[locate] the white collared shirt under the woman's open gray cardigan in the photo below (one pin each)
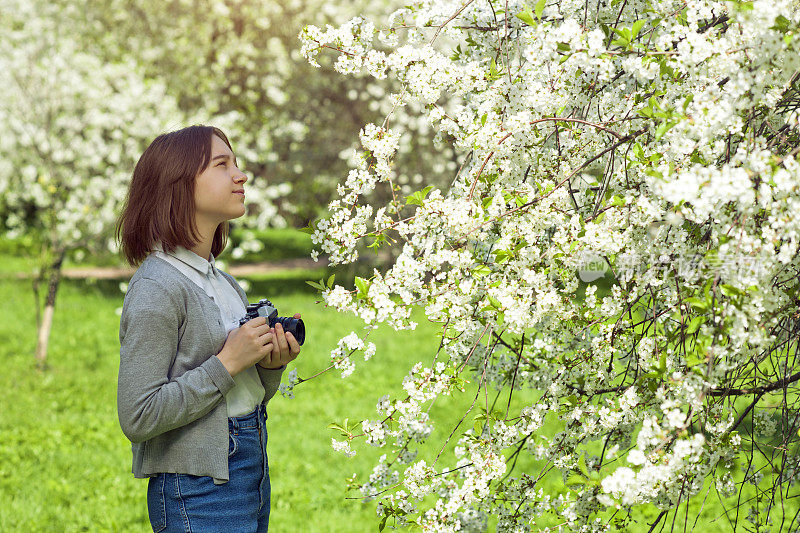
(248, 391)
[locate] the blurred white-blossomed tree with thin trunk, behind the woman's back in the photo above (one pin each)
(72, 128)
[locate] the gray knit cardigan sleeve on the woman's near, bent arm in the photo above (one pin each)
(148, 402)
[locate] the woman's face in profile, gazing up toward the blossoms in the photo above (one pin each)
(219, 189)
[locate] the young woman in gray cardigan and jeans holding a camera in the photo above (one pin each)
(193, 385)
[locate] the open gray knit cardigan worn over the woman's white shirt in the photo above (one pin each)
(171, 384)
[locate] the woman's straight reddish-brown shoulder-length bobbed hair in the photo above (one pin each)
(160, 203)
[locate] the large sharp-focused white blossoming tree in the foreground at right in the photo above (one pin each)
(618, 250)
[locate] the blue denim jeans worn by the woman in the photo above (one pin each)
(194, 504)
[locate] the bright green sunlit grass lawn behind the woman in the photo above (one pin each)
(65, 464)
